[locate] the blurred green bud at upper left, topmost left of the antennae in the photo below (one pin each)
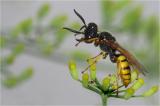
(43, 11)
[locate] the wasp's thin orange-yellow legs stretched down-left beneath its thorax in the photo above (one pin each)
(97, 58)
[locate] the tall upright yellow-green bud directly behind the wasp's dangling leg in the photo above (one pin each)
(92, 69)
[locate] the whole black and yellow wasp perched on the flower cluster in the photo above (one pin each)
(109, 46)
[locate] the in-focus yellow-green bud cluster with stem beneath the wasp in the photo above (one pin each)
(111, 85)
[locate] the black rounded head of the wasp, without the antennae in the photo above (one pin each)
(91, 31)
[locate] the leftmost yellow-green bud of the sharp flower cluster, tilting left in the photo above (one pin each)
(73, 70)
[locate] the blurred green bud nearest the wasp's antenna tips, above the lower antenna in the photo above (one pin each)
(58, 21)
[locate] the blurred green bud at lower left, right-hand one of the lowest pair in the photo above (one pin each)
(26, 74)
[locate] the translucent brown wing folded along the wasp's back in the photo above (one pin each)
(131, 59)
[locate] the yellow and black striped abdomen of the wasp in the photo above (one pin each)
(124, 70)
